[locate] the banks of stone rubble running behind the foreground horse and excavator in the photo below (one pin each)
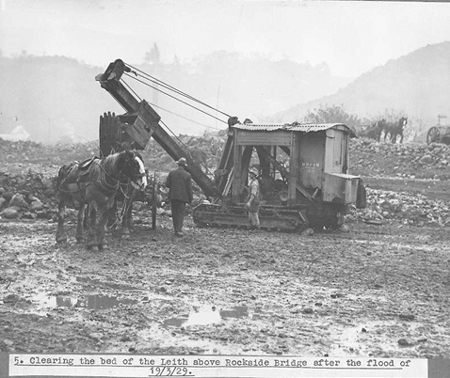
(32, 195)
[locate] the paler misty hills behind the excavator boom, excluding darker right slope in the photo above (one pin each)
(56, 98)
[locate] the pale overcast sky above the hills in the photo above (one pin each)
(351, 37)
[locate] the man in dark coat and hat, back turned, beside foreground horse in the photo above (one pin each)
(180, 192)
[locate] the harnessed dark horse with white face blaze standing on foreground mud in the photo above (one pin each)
(95, 182)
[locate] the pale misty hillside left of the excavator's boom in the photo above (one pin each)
(51, 97)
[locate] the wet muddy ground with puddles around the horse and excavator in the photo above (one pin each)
(377, 289)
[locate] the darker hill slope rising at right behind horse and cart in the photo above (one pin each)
(416, 85)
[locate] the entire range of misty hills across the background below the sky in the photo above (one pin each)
(57, 99)
